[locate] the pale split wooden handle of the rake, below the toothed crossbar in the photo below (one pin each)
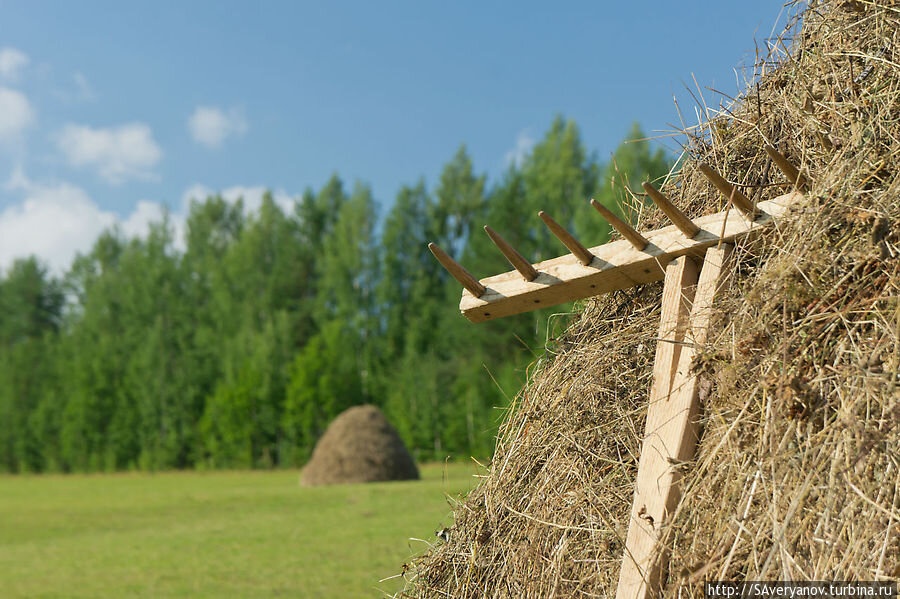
(670, 437)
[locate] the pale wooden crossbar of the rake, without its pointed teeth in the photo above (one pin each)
(616, 265)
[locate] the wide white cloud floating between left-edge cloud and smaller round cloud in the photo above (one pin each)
(118, 153)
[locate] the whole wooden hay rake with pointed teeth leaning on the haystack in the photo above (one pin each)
(692, 258)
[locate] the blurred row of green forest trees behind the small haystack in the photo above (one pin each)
(236, 348)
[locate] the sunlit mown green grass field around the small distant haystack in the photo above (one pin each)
(215, 534)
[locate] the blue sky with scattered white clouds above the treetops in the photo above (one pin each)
(111, 110)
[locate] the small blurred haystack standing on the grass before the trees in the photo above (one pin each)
(359, 446)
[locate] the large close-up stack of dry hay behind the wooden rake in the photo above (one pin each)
(797, 471)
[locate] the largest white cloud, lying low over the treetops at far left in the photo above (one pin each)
(56, 221)
